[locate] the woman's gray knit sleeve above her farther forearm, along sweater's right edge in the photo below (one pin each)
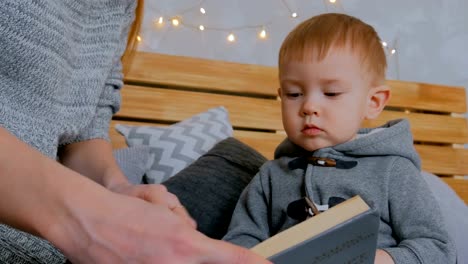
(109, 100)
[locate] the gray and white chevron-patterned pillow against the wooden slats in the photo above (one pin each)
(177, 146)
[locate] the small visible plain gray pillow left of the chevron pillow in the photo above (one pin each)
(133, 162)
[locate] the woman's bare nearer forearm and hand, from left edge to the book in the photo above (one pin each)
(93, 225)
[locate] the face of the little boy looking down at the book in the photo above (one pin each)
(323, 102)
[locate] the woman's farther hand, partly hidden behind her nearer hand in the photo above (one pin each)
(155, 194)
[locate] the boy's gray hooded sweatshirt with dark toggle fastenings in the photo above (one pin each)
(381, 165)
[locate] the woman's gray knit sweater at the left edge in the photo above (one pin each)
(60, 76)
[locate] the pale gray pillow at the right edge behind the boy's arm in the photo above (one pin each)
(455, 213)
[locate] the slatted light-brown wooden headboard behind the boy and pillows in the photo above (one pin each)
(164, 89)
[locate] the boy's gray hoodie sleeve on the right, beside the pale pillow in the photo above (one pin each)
(416, 219)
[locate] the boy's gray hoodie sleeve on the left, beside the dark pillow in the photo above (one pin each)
(249, 223)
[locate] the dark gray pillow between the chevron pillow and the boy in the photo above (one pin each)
(210, 187)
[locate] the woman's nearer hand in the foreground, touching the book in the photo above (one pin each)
(115, 228)
